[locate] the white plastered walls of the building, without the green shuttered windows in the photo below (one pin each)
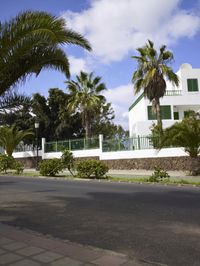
(138, 118)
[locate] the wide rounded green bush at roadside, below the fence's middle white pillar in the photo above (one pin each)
(91, 169)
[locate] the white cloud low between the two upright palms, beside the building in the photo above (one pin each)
(121, 98)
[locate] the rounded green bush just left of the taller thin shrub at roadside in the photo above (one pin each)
(50, 167)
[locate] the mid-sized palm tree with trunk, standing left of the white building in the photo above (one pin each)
(85, 97)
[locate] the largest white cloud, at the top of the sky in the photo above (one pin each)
(116, 27)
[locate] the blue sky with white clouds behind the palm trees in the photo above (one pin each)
(115, 28)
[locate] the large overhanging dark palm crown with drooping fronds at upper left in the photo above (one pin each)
(32, 41)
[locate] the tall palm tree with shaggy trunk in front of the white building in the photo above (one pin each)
(151, 73)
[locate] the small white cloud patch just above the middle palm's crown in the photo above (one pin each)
(77, 64)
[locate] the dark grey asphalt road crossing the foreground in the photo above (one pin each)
(159, 225)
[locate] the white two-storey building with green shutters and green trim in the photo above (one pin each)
(174, 105)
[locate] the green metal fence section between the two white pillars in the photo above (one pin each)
(72, 144)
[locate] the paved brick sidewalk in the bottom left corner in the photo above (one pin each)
(26, 248)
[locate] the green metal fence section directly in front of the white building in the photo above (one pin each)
(136, 143)
